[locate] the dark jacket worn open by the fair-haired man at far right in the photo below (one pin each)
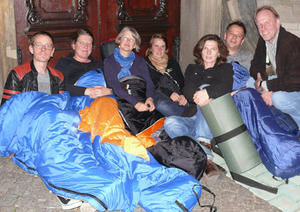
(287, 62)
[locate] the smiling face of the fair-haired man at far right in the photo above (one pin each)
(268, 25)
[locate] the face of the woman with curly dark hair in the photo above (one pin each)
(210, 53)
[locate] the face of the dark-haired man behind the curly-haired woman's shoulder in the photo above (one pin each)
(234, 38)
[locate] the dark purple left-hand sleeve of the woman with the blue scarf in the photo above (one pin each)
(110, 73)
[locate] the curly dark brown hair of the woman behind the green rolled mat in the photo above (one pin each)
(200, 45)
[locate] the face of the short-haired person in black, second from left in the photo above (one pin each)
(83, 47)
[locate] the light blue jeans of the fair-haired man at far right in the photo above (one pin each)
(286, 102)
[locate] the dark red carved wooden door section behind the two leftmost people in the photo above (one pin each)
(60, 18)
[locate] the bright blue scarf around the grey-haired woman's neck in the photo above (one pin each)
(125, 63)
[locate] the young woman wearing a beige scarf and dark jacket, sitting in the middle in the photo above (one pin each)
(166, 76)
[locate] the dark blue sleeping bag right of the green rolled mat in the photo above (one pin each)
(278, 148)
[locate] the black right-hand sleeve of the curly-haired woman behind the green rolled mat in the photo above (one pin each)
(223, 83)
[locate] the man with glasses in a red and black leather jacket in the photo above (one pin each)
(35, 75)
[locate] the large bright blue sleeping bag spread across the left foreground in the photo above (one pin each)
(41, 130)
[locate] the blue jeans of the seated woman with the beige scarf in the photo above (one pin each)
(166, 106)
